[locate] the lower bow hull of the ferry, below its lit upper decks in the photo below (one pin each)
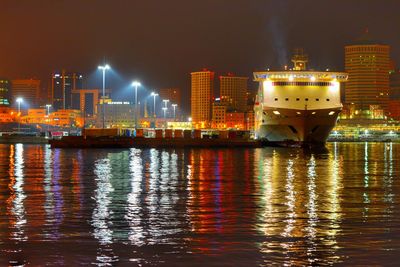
(292, 127)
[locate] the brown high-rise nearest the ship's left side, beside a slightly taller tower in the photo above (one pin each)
(233, 92)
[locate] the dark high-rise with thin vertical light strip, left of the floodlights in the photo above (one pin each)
(62, 84)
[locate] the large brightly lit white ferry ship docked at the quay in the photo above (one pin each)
(297, 107)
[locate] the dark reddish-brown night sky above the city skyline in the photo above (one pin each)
(161, 42)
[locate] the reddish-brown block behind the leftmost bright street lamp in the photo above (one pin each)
(27, 89)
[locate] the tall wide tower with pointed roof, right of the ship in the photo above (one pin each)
(368, 63)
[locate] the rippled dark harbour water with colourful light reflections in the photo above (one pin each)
(200, 207)
